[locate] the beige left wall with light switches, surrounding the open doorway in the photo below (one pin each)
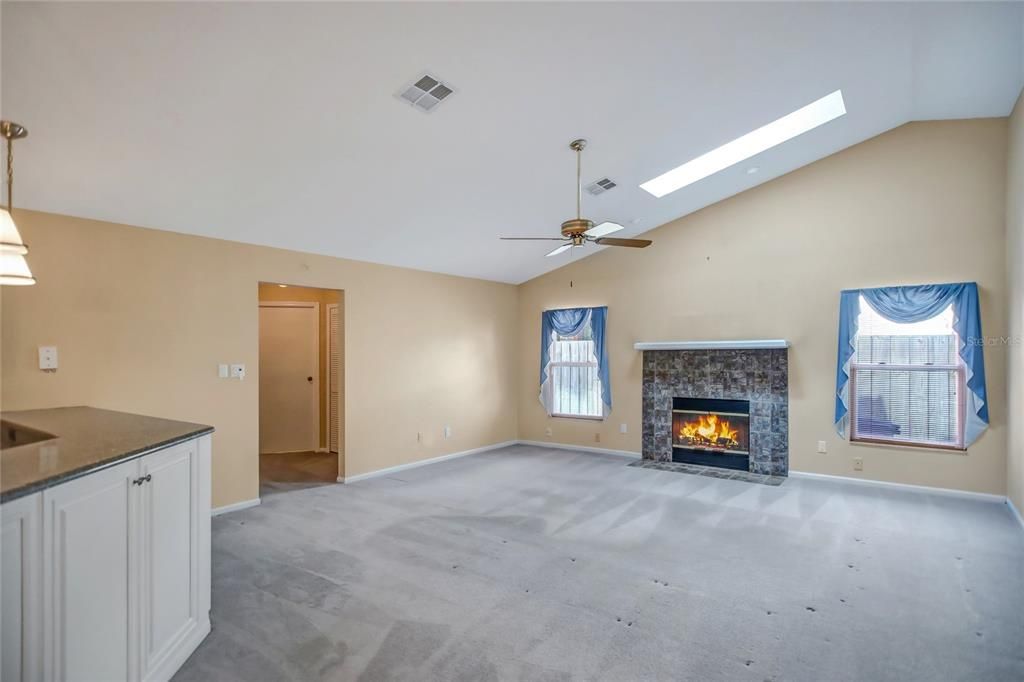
(142, 319)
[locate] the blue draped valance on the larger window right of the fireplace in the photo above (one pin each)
(913, 305)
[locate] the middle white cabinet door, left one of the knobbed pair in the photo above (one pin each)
(90, 625)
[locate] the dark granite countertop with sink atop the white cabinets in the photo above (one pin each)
(87, 440)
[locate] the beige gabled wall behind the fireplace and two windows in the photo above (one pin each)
(925, 203)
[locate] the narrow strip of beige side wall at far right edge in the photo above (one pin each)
(1015, 262)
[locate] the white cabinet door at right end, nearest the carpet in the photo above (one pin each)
(169, 542)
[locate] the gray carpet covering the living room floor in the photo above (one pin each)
(529, 564)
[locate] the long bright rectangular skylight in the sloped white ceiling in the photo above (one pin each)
(807, 118)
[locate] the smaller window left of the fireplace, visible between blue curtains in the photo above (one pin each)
(576, 385)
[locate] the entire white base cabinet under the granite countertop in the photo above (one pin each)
(121, 560)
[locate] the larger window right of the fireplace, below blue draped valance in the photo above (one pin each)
(907, 383)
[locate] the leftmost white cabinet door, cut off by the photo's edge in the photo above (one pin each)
(21, 588)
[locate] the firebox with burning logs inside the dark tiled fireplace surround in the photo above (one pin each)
(712, 433)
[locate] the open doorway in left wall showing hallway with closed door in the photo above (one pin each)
(302, 380)
